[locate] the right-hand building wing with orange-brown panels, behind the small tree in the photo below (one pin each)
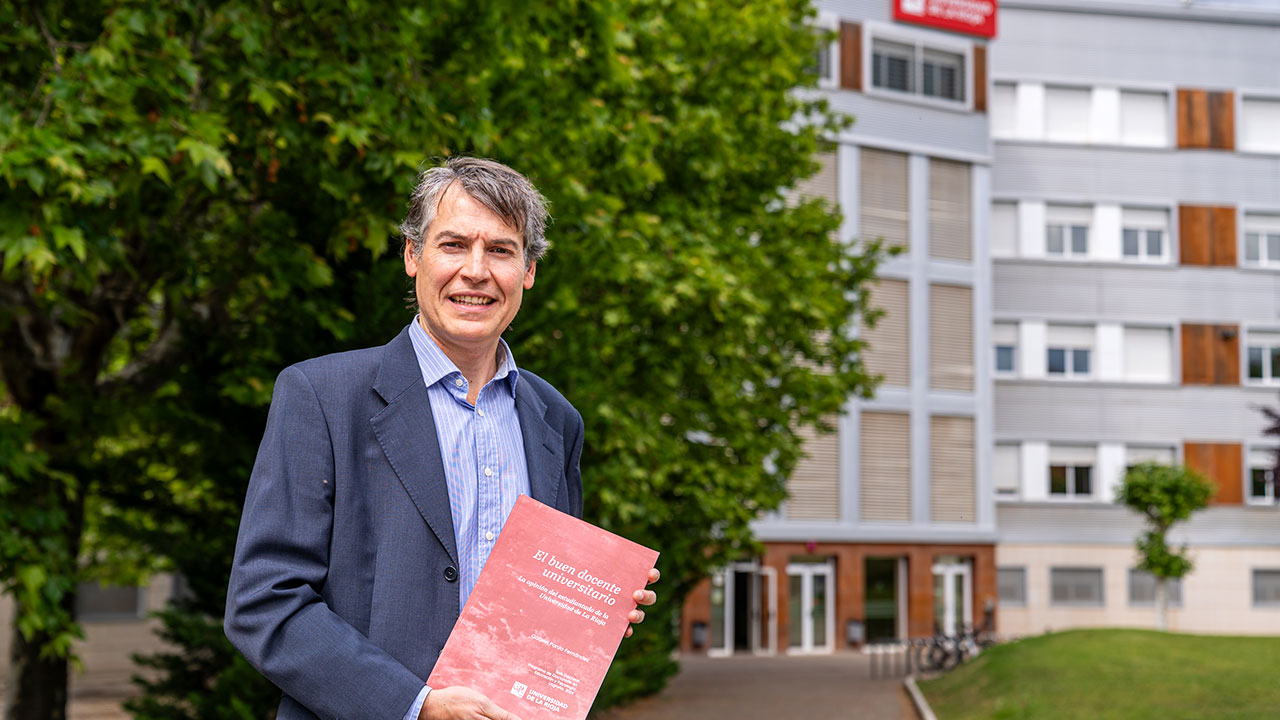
(1136, 304)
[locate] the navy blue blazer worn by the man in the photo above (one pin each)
(345, 582)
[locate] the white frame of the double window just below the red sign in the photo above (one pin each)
(921, 42)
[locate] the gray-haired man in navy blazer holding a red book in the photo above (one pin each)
(386, 475)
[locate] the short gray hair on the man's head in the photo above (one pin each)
(502, 190)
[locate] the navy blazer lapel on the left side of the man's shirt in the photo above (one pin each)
(406, 432)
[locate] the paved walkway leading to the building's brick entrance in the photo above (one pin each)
(774, 689)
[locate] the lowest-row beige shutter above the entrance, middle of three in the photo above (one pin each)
(885, 476)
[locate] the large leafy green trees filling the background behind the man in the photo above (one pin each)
(200, 193)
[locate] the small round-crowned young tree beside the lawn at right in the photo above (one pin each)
(1164, 495)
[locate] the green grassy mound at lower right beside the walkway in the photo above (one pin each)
(1113, 675)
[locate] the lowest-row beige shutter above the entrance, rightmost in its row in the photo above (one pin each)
(952, 494)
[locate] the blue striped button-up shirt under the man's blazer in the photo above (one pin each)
(482, 448)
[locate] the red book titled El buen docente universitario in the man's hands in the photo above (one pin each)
(547, 614)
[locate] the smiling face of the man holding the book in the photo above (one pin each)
(470, 277)
